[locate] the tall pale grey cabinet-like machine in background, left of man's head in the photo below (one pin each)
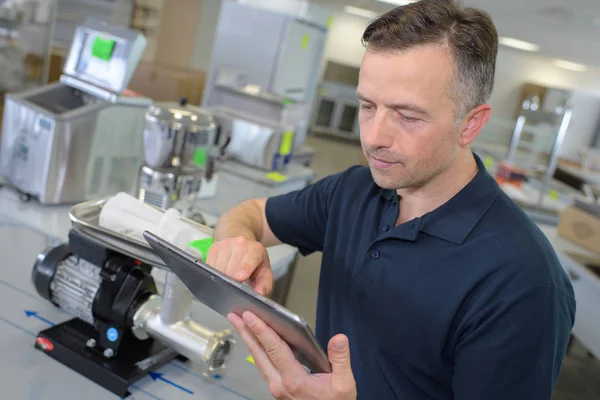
(265, 60)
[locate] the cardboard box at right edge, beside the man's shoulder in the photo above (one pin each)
(581, 227)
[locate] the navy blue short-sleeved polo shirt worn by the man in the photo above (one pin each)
(468, 301)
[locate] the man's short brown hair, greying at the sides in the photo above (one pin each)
(469, 34)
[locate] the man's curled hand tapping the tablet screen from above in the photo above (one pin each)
(242, 259)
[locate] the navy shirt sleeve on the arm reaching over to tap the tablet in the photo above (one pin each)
(300, 218)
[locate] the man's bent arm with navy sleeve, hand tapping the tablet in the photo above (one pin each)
(241, 235)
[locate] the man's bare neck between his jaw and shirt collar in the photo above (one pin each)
(416, 202)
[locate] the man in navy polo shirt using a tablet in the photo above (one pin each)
(434, 285)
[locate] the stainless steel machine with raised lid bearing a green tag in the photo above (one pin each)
(80, 138)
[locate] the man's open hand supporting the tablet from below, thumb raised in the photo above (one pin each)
(286, 377)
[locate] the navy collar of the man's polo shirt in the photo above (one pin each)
(454, 220)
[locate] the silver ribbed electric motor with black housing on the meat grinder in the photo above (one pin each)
(104, 289)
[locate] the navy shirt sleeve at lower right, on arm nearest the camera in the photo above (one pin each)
(513, 349)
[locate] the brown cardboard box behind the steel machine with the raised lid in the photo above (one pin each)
(168, 83)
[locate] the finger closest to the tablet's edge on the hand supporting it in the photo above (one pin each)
(278, 351)
